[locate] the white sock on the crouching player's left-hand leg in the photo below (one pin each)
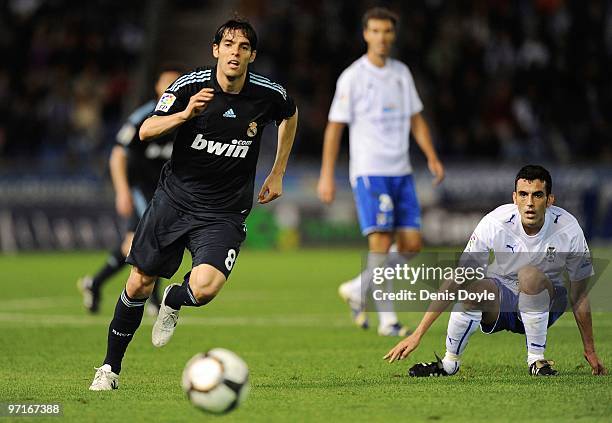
(461, 325)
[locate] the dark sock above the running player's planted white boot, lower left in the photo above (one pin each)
(127, 318)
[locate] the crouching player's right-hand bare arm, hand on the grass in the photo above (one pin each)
(581, 307)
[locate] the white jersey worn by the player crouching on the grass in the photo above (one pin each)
(559, 246)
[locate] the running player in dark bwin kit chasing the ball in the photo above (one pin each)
(205, 191)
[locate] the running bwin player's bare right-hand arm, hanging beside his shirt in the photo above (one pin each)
(272, 187)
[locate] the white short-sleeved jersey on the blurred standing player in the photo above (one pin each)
(377, 104)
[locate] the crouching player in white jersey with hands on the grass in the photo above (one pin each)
(534, 243)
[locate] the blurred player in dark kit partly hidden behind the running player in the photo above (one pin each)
(135, 168)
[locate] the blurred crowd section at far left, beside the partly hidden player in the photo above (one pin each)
(63, 89)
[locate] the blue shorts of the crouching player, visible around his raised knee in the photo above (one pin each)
(510, 320)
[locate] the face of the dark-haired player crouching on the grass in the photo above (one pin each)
(532, 201)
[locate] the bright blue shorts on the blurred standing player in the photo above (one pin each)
(386, 203)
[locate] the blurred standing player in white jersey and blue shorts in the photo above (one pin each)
(376, 96)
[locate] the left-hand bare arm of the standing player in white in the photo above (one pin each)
(326, 188)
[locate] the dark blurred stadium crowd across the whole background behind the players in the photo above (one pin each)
(500, 80)
